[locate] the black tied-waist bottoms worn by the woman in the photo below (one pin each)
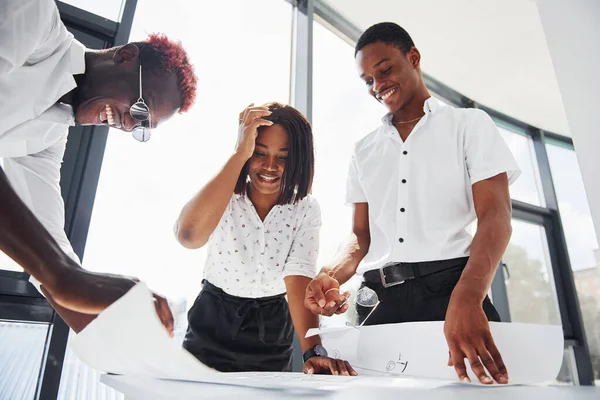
(234, 334)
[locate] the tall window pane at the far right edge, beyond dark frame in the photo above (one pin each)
(581, 240)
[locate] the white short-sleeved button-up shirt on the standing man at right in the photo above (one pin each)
(419, 191)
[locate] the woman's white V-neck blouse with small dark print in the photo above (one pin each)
(249, 258)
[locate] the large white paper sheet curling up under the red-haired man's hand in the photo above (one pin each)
(128, 338)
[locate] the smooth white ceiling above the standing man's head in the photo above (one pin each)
(492, 51)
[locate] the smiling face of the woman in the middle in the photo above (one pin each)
(268, 162)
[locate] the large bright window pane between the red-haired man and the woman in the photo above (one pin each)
(241, 52)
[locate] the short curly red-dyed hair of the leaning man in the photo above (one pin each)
(160, 53)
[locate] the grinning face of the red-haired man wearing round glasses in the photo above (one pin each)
(111, 86)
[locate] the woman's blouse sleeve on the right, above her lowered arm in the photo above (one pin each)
(302, 259)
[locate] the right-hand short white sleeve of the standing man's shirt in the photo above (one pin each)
(486, 152)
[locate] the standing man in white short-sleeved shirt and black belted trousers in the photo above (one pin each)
(416, 184)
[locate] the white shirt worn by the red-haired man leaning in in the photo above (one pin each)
(38, 58)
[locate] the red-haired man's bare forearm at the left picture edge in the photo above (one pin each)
(25, 240)
